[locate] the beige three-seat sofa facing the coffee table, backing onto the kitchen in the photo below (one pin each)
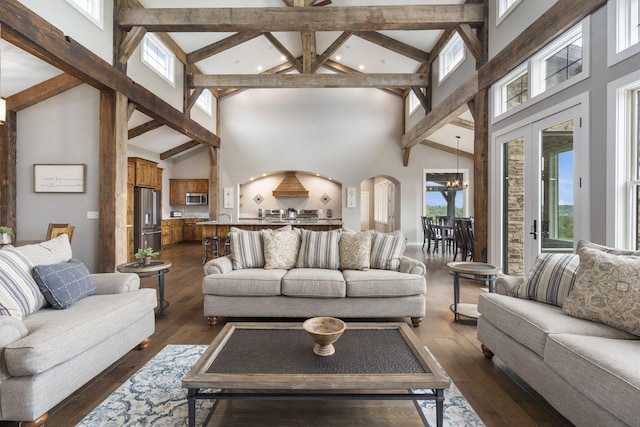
(300, 291)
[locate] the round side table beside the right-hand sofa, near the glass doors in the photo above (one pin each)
(477, 271)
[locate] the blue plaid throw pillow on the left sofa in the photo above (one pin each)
(64, 284)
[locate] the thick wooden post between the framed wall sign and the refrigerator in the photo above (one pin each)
(112, 230)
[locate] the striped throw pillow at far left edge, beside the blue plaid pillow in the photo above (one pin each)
(19, 293)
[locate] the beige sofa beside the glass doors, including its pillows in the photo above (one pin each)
(586, 369)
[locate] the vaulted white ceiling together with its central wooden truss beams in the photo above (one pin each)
(283, 43)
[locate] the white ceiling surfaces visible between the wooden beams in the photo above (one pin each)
(246, 58)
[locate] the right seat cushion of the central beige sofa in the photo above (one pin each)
(383, 283)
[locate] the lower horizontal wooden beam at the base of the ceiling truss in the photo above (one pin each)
(307, 80)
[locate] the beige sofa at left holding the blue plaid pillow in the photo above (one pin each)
(47, 355)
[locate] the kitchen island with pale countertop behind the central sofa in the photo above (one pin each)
(221, 228)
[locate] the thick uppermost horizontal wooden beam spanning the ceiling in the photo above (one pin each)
(273, 19)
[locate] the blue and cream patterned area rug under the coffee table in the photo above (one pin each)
(154, 396)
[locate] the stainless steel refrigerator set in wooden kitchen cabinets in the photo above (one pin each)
(147, 218)
